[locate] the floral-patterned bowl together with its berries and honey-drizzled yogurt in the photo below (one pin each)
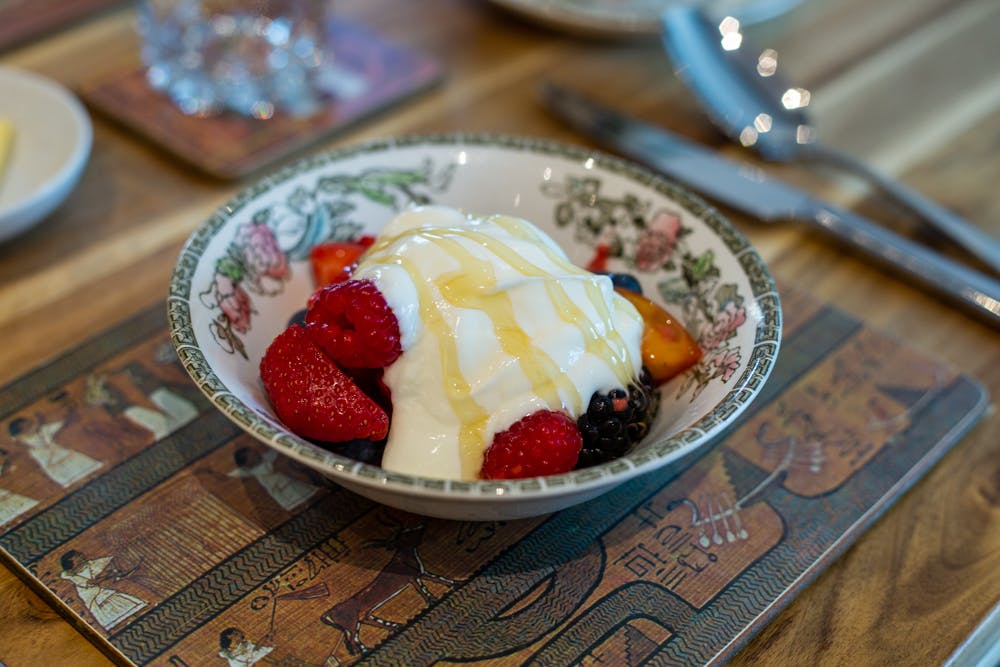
(474, 326)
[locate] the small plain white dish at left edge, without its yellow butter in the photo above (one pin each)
(52, 140)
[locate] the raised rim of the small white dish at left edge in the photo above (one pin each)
(70, 167)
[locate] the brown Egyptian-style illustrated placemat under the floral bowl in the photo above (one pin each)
(170, 538)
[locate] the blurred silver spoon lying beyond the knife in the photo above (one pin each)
(749, 101)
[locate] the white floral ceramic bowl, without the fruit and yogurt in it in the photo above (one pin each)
(245, 272)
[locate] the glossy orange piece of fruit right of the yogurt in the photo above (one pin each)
(667, 347)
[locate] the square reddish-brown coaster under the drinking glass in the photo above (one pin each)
(229, 146)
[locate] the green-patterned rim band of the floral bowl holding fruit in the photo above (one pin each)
(740, 395)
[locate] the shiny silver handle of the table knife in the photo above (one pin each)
(979, 293)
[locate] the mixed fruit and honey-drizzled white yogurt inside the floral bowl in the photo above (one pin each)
(466, 347)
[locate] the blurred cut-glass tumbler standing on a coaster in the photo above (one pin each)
(251, 57)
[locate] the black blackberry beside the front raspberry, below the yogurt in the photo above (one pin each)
(617, 420)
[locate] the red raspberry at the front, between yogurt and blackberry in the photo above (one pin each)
(543, 443)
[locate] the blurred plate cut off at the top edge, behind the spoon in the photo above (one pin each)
(622, 18)
